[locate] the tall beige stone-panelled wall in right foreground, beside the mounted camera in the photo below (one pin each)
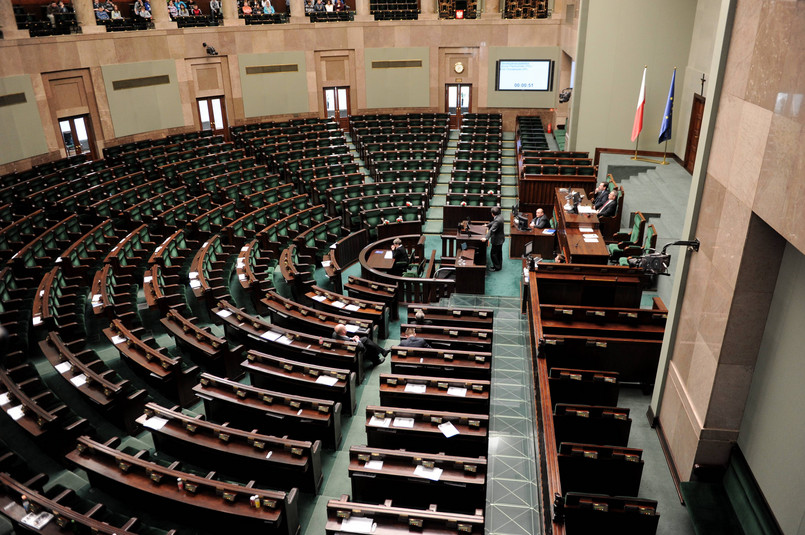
(751, 205)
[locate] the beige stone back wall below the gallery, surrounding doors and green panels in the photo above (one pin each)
(34, 56)
